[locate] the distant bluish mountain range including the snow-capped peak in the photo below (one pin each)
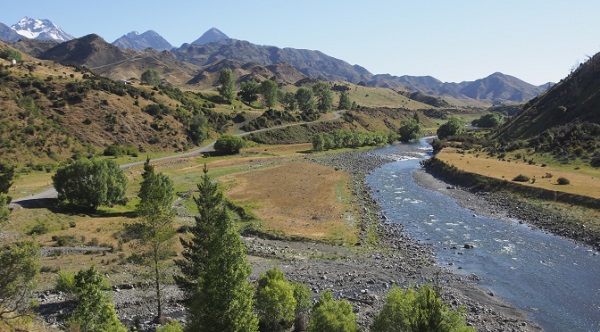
(214, 46)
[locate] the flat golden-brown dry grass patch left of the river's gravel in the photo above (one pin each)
(297, 199)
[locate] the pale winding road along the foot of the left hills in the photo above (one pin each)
(37, 200)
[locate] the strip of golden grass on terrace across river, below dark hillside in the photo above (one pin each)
(585, 183)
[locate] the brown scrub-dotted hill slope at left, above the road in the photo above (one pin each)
(49, 112)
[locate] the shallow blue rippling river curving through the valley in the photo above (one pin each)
(553, 279)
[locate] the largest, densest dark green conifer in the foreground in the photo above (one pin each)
(214, 269)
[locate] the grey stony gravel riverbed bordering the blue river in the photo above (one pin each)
(362, 274)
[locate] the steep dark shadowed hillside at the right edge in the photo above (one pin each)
(565, 121)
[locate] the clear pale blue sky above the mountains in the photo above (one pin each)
(538, 41)
